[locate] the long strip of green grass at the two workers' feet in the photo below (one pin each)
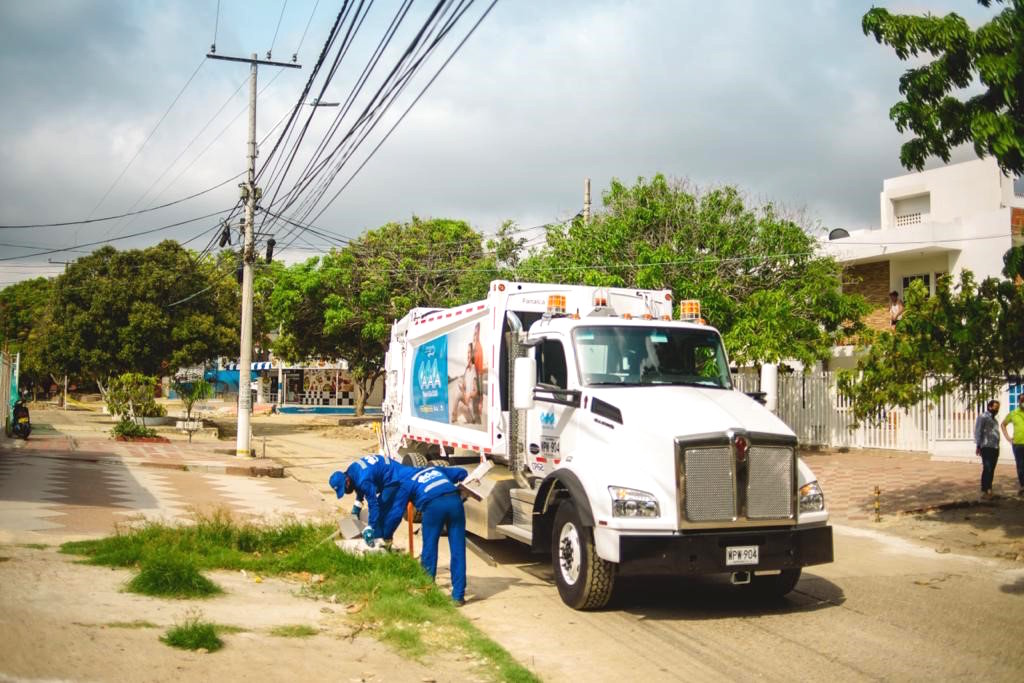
(392, 596)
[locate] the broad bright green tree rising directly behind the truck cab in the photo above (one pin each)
(756, 272)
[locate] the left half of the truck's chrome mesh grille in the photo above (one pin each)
(710, 489)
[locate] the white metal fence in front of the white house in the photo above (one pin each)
(814, 408)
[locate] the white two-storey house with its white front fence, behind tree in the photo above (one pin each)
(962, 217)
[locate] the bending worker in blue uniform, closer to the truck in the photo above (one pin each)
(434, 493)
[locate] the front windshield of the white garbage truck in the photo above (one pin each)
(635, 356)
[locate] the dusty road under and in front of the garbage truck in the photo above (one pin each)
(885, 611)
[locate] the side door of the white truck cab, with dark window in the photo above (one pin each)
(551, 425)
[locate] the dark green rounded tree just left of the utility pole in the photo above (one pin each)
(149, 311)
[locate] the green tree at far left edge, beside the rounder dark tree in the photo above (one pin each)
(24, 321)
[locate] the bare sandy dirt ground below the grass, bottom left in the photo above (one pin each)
(64, 621)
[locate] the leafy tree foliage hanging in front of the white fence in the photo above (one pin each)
(964, 340)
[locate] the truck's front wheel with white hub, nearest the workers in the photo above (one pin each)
(584, 580)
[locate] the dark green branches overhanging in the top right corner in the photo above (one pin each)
(942, 118)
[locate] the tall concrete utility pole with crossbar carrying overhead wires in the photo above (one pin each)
(250, 195)
